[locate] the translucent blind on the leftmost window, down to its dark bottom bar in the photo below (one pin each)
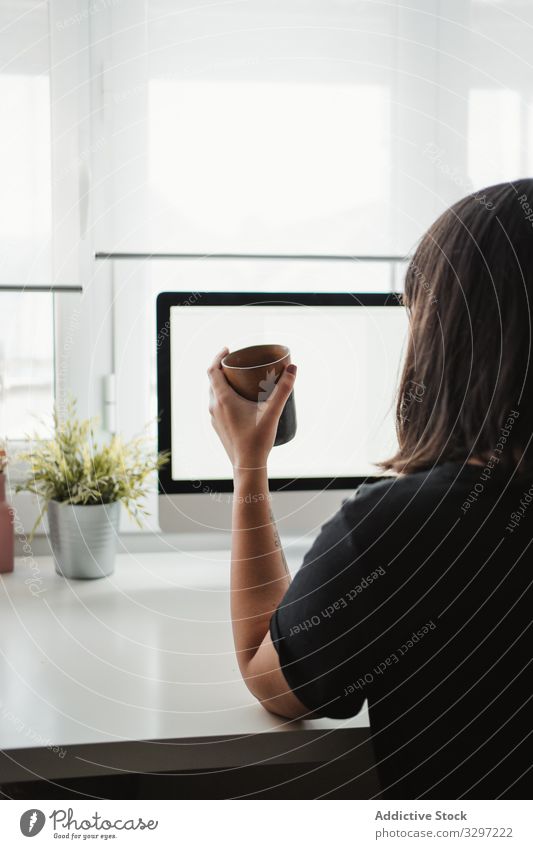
(25, 146)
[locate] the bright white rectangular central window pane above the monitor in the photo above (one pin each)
(269, 166)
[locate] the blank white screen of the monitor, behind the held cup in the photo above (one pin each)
(348, 365)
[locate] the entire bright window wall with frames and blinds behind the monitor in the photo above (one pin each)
(272, 144)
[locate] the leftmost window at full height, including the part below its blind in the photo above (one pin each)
(26, 317)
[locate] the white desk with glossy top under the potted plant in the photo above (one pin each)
(137, 672)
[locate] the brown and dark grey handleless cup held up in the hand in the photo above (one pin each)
(253, 372)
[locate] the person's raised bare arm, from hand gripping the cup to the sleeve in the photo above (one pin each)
(259, 574)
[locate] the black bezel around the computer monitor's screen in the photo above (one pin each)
(165, 300)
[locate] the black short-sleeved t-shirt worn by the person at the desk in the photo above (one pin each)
(417, 595)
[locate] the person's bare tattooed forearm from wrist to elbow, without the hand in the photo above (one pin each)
(259, 574)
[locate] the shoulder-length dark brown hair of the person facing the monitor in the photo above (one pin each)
(466, 391)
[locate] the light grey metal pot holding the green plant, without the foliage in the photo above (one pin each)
(84, 538)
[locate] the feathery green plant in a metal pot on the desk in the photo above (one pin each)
(81, 486)
